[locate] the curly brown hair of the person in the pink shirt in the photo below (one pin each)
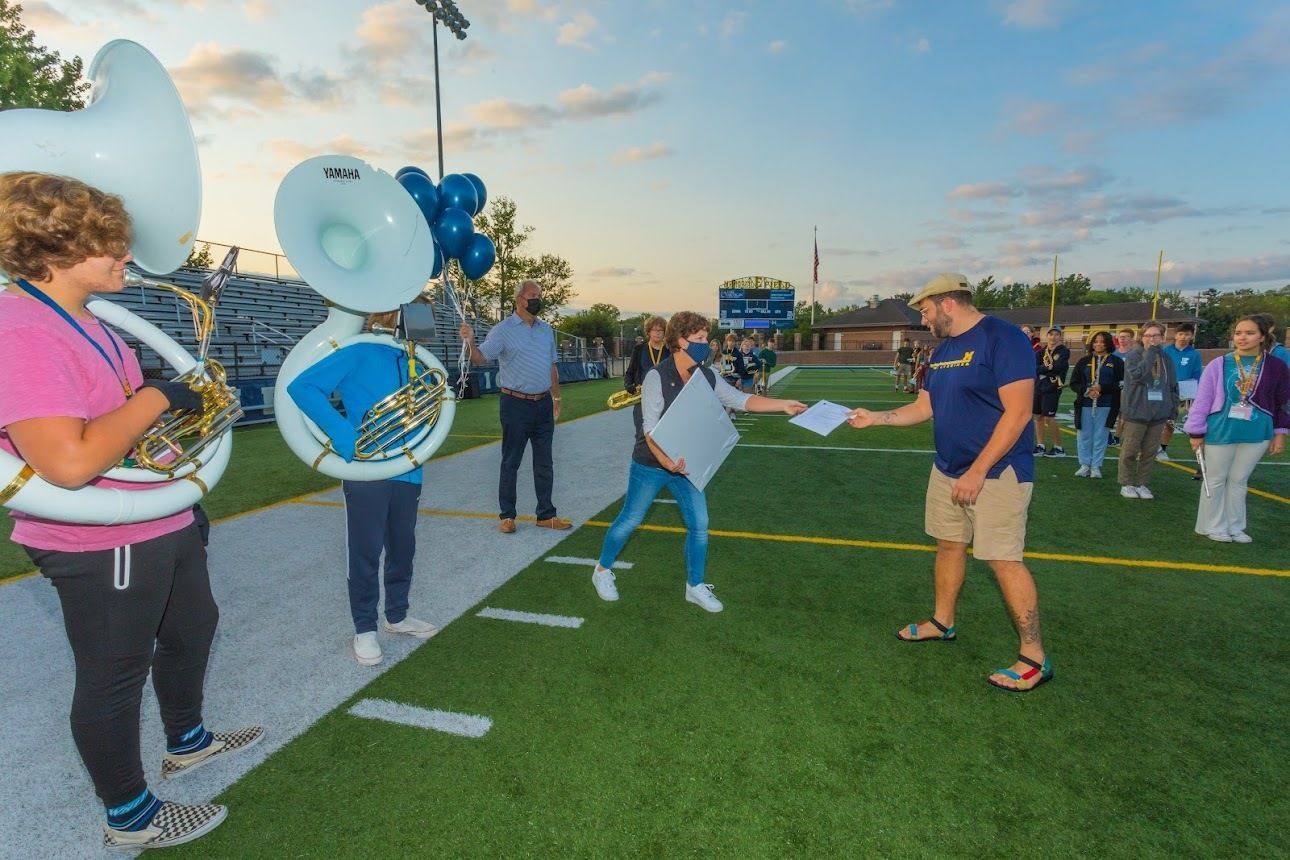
(56, 222)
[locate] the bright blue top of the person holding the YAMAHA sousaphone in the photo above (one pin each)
(363, 375)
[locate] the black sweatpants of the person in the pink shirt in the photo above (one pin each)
(128, 611)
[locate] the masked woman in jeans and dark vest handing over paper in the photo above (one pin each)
(652, 470)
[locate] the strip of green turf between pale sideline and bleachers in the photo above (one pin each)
(264, 471)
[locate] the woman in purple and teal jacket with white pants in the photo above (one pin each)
(1240, 413)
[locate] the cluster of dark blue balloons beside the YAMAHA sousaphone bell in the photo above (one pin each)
(451, 212)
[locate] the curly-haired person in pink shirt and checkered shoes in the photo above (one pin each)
(135, 598)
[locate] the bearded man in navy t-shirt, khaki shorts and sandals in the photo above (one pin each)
(981, 382)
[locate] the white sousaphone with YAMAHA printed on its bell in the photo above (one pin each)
(359, 239)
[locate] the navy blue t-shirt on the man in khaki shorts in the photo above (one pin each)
(964, 380)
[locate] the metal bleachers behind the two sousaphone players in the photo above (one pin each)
(259, 319)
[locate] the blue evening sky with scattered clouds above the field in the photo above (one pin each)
(664, 146)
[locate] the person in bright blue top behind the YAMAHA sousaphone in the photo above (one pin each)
(379, 515)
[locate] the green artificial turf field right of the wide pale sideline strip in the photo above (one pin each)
(795, 724)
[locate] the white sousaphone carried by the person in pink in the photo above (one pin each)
(134, 140)
